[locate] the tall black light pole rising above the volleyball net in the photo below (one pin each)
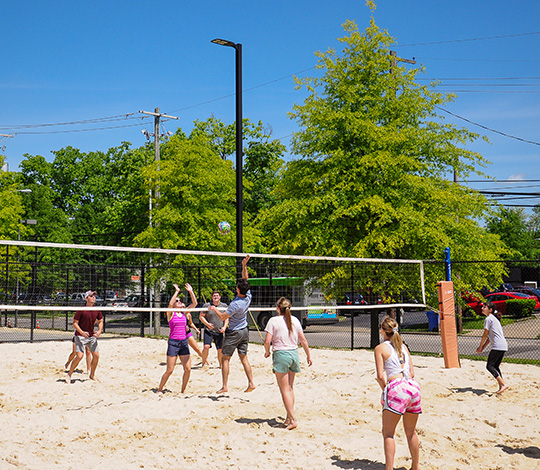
(239, 138)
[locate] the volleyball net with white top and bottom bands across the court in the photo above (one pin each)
(45, 283)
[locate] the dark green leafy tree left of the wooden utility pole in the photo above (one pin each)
(88, 197)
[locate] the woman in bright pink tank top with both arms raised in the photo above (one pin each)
(177, 346)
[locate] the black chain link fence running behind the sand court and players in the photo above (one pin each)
(353, 297)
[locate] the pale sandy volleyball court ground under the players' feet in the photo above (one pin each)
(121, 423)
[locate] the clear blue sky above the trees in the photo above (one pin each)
(74, 61)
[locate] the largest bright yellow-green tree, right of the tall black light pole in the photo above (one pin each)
(373, 160)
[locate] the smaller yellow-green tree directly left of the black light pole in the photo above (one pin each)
(196, 192)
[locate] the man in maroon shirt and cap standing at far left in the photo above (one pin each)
(85, 336)
